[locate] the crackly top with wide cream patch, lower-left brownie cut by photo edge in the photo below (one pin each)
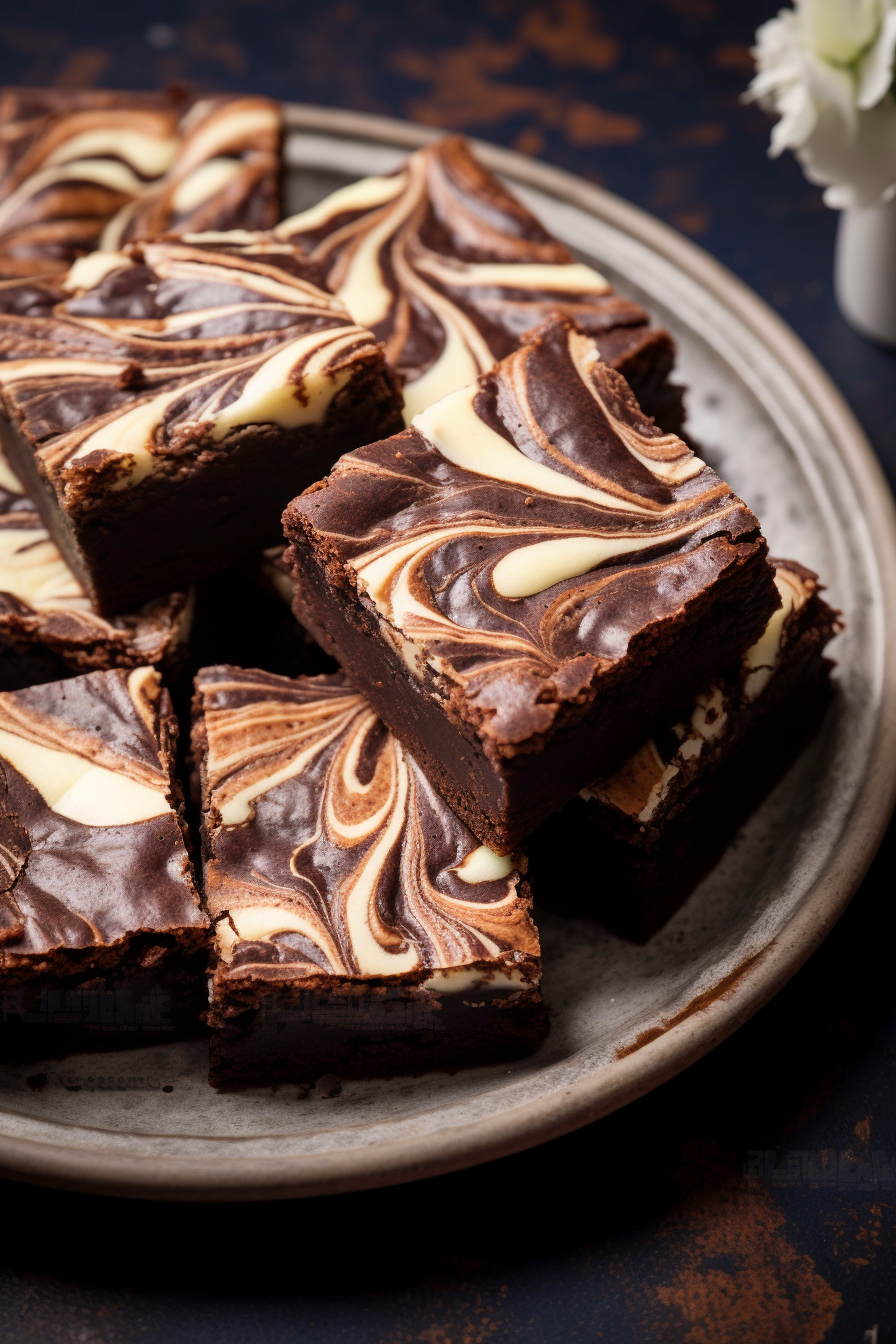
(91, 846)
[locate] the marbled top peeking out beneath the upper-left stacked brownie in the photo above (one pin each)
(42, 600)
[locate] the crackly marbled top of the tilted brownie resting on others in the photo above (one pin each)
(525, 530)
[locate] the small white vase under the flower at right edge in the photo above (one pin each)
(866, 271)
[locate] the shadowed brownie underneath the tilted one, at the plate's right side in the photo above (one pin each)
(656, 827)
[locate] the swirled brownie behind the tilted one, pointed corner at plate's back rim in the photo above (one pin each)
(448, 268)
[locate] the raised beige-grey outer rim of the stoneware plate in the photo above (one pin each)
(687, 1038)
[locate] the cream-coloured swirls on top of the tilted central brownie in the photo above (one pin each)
(619, 514)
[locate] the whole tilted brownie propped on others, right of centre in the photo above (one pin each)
(527, 580)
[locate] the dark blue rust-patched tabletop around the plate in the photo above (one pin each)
(750, 1200)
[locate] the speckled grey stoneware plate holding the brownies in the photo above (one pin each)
(625, 1017)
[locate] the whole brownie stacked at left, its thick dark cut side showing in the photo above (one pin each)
(163, 404)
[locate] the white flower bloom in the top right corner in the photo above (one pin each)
(827, 69)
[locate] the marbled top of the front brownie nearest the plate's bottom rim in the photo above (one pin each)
(328, 850)
